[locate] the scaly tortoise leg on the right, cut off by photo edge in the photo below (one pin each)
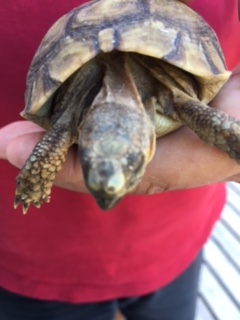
(213, 126)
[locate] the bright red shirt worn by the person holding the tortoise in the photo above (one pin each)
(69, 250)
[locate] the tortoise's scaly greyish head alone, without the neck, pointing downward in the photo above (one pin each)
(115, 146)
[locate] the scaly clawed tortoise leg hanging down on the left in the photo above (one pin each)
(35, 179)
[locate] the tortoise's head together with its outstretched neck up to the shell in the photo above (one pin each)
(116, 138)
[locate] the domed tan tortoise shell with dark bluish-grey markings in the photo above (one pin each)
(163, 29)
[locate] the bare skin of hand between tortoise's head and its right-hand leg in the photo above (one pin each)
(183, 161)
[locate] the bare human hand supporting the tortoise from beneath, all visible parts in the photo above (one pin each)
(181, 161)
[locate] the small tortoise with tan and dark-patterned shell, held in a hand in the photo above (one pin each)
(112, 76)
